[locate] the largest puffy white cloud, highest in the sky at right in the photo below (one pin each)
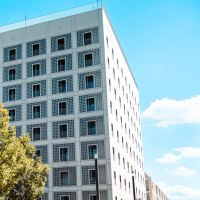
(171, 112)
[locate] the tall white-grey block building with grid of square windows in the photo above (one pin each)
(65, 80)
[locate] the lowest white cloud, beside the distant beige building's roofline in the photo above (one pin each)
(180, 192)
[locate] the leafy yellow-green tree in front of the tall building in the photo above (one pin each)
(22, 174)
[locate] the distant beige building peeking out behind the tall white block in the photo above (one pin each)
(153, 191)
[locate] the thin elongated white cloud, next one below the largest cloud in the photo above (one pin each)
(178, 154)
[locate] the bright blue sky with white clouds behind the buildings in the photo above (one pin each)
(161, 40)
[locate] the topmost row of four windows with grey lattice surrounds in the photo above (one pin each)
(58, 43)
